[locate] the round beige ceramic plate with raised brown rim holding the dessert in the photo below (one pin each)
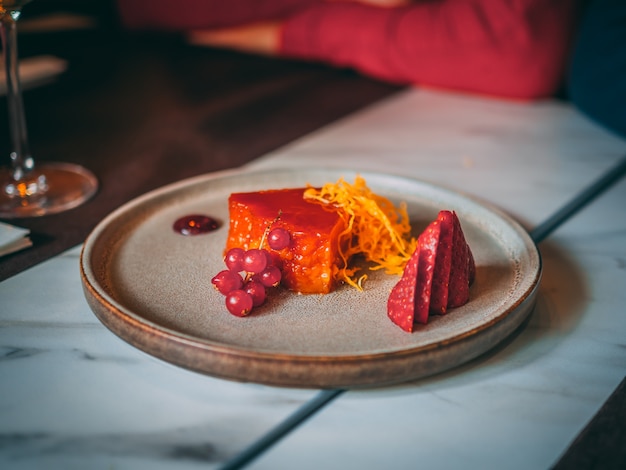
(151, 287)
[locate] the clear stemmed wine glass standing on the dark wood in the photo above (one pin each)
(29, 189)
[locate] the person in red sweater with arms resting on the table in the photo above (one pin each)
(514, 49)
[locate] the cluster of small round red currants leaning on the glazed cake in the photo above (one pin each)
(250, 272)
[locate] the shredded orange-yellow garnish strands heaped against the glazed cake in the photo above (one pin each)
(375, 228)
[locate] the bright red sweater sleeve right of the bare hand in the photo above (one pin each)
(515, 49)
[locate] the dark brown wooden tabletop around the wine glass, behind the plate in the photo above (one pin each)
(143, 110)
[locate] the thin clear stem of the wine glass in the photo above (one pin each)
(21, 160)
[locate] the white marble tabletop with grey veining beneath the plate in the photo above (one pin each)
(72, 395)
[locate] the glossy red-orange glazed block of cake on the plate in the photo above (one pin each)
(311, 260)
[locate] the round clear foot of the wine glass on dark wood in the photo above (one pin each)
(68, 186)
